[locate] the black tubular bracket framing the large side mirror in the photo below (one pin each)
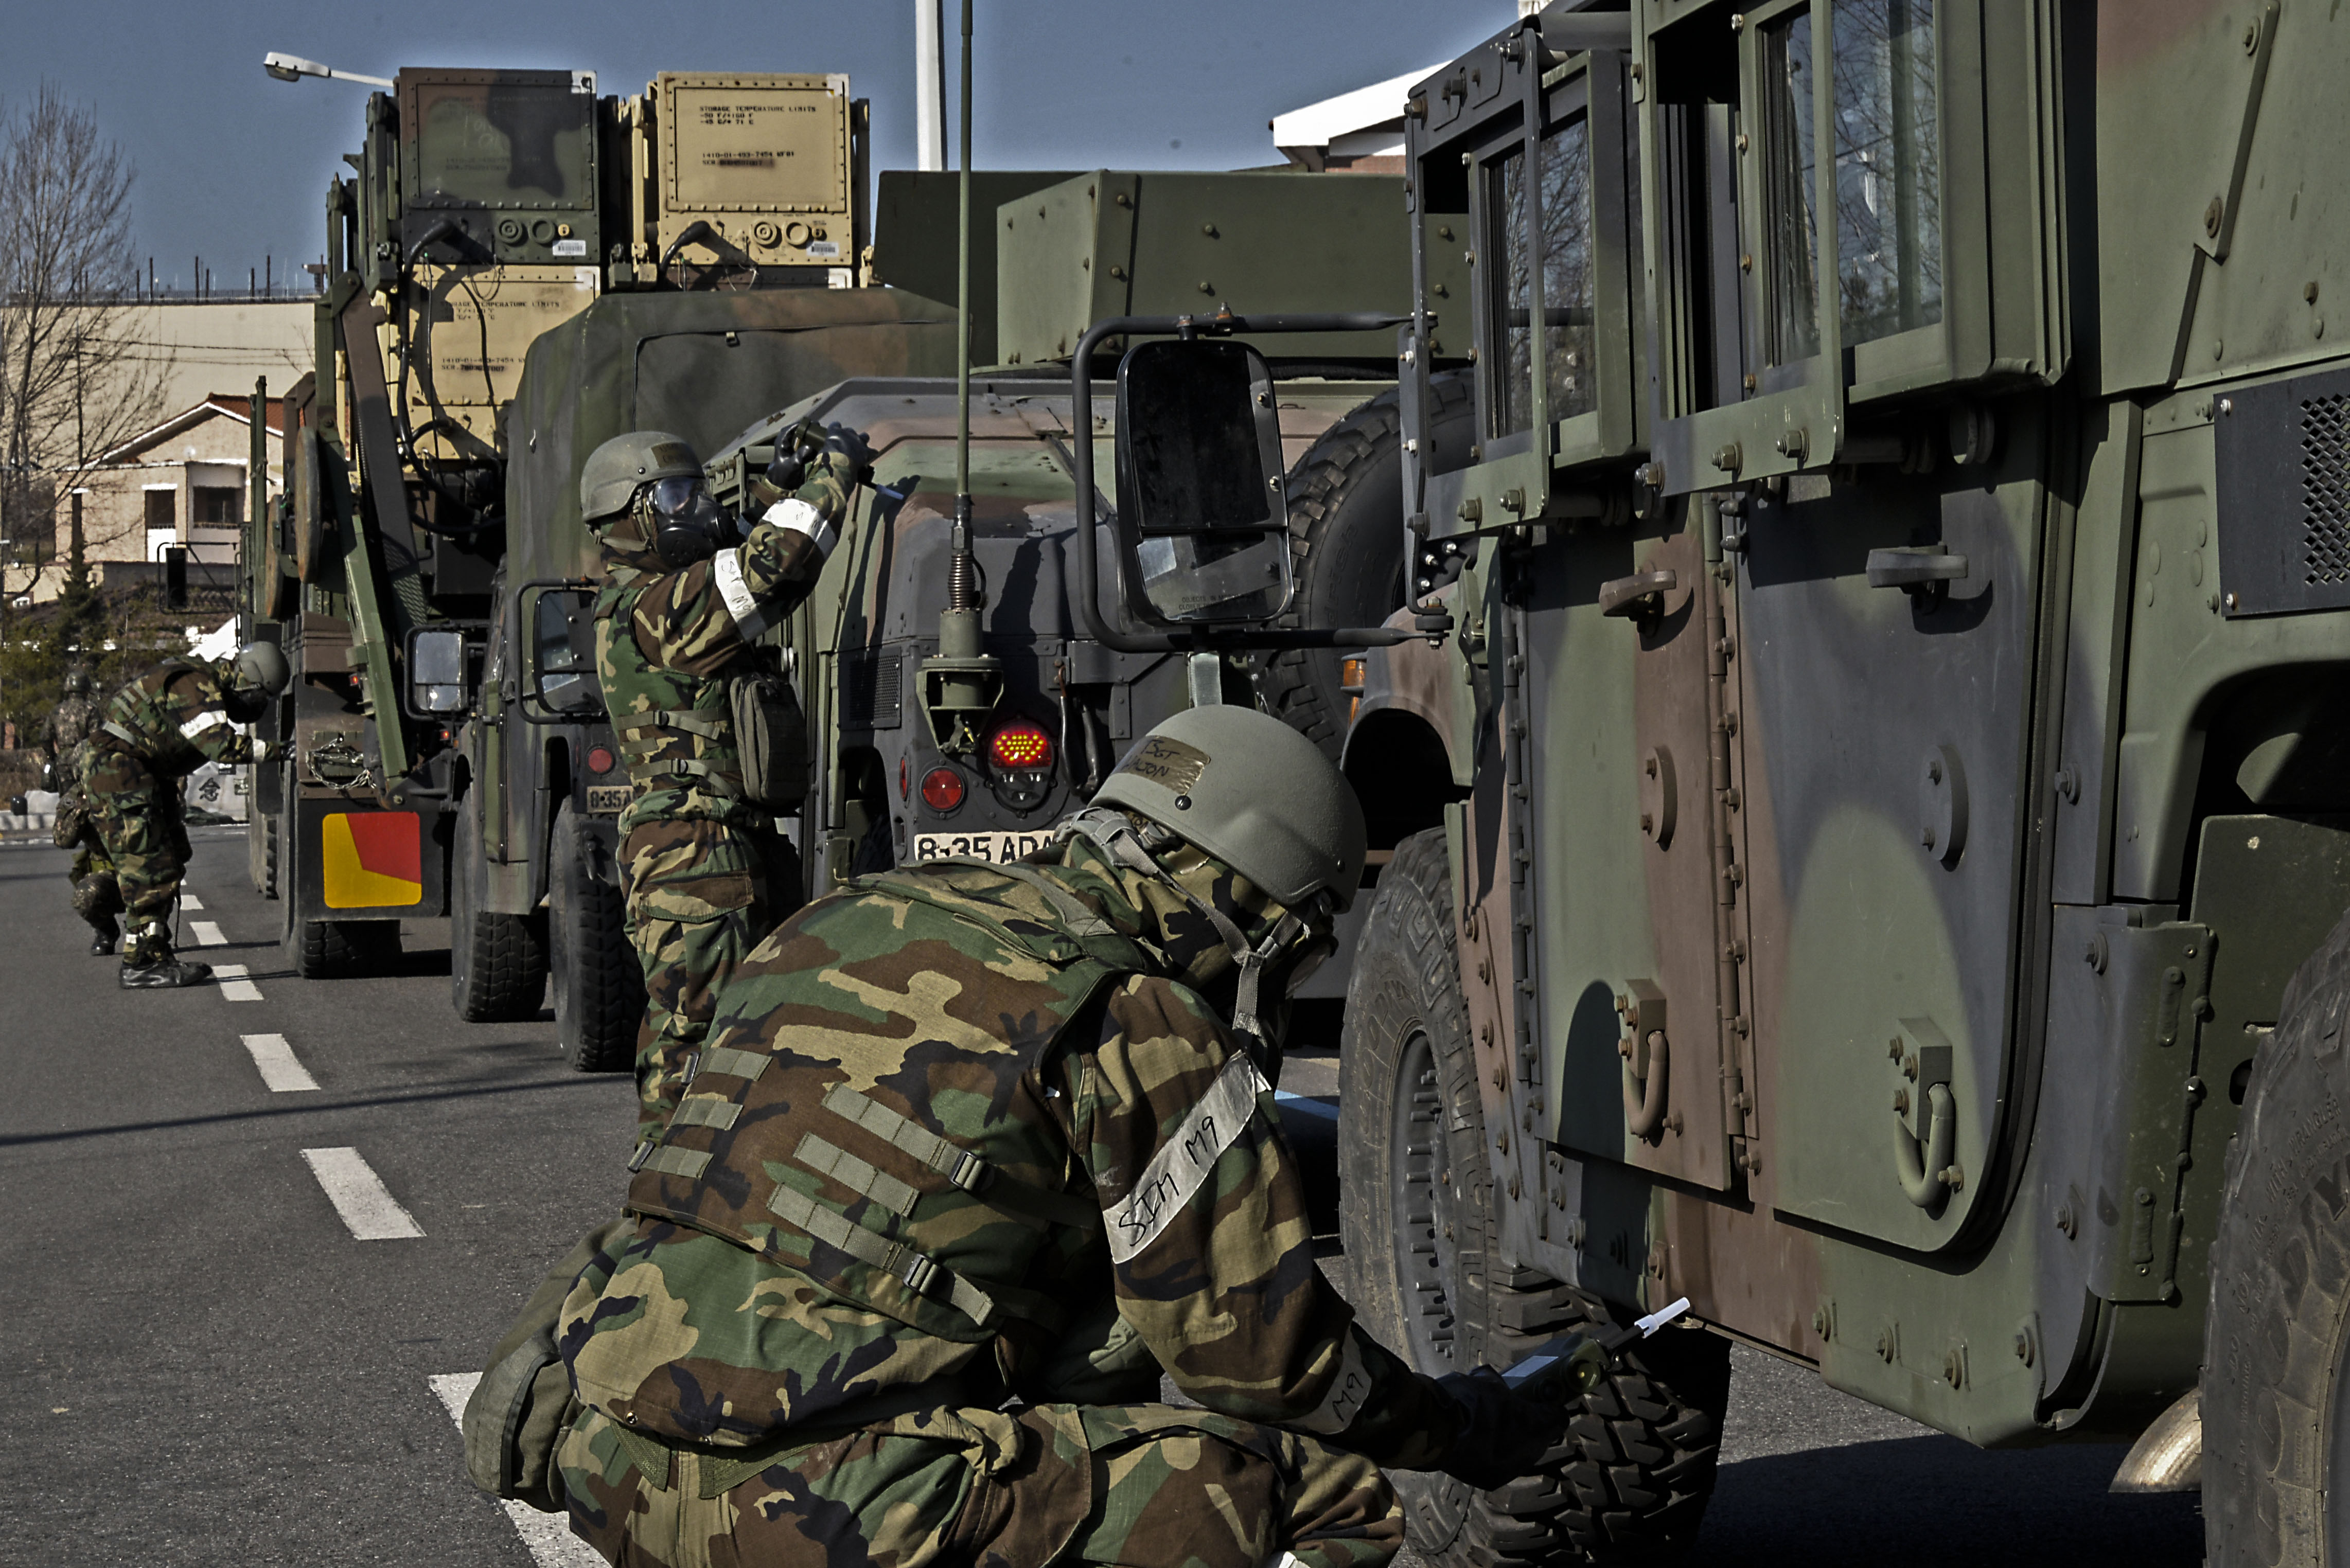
(1089, 568)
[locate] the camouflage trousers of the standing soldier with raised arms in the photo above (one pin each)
(699, 899)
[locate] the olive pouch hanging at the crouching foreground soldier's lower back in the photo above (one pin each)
(523, 1407)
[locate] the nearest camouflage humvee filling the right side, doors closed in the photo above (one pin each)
(1862, 800)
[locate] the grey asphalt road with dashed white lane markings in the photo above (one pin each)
(208, 1367)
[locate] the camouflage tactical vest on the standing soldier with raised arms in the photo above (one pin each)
(676, 730)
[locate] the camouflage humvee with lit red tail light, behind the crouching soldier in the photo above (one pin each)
(915, 756)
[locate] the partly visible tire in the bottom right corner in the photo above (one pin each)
(2276, 1381)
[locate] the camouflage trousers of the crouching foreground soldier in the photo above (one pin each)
(1141, 1487)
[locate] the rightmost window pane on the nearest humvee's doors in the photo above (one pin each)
(1888, 168)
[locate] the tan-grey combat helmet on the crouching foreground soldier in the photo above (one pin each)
(1256, 796)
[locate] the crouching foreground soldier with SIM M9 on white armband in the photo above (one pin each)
(972, 1160)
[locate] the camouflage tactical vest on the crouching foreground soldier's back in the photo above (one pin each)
(906, 1170)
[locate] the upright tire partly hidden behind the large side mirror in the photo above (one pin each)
(1345, 500)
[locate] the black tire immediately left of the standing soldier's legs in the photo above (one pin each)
(598, 984)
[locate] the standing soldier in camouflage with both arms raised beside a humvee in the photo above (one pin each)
(687, 596)
